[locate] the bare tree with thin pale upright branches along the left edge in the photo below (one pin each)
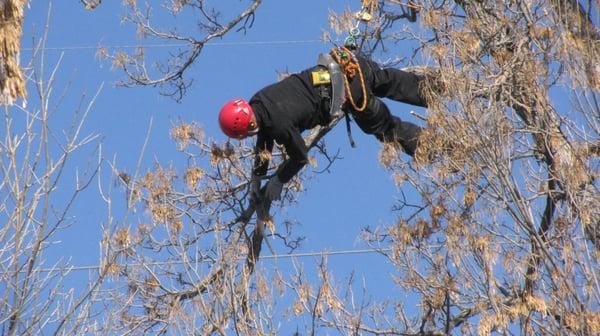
(38, 191)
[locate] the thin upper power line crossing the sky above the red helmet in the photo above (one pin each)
(178, 45)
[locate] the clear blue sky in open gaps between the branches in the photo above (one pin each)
(357, 192)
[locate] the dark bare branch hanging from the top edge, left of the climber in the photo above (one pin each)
(213, 21)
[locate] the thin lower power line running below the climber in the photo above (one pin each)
(174, 262)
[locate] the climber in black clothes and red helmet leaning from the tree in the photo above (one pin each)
(282, 111)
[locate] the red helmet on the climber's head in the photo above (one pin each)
(235, 118)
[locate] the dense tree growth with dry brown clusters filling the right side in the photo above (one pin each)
(504, 236)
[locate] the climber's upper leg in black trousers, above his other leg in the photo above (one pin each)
(396, 84)
